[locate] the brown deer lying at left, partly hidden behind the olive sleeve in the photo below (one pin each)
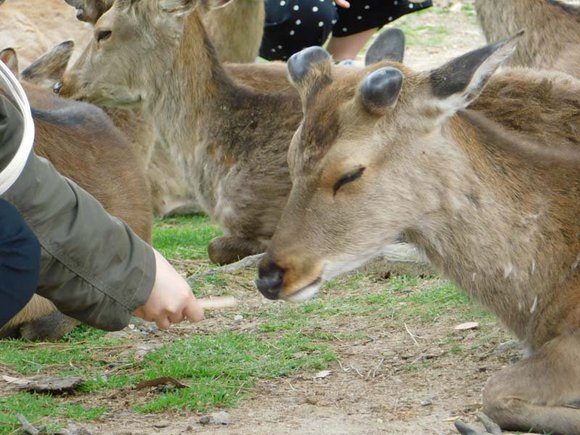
(83, 145)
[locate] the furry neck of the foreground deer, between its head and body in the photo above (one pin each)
(487, 231)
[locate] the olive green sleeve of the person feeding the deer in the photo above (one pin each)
(94, 268)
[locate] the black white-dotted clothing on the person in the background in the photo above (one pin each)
(292, 25)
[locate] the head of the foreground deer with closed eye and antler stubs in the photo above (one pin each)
(369, 163)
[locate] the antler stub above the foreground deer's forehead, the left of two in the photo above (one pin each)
(309, 70)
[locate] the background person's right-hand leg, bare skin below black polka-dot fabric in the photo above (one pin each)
(357, 24)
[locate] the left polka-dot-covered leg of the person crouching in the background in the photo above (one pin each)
(292, 25)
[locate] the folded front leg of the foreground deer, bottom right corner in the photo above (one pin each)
(540, 393)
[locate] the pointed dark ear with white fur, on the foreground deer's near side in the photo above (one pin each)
(460, 81)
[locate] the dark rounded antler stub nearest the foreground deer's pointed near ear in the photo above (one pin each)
(380, 90)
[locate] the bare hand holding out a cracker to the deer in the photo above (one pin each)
(171, 300)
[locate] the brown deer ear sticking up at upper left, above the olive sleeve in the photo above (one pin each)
(50, 65)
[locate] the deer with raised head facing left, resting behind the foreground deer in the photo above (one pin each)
(229, 140)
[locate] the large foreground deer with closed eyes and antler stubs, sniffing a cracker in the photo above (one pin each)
(480, 170)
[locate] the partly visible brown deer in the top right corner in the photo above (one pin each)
(552, 37)
